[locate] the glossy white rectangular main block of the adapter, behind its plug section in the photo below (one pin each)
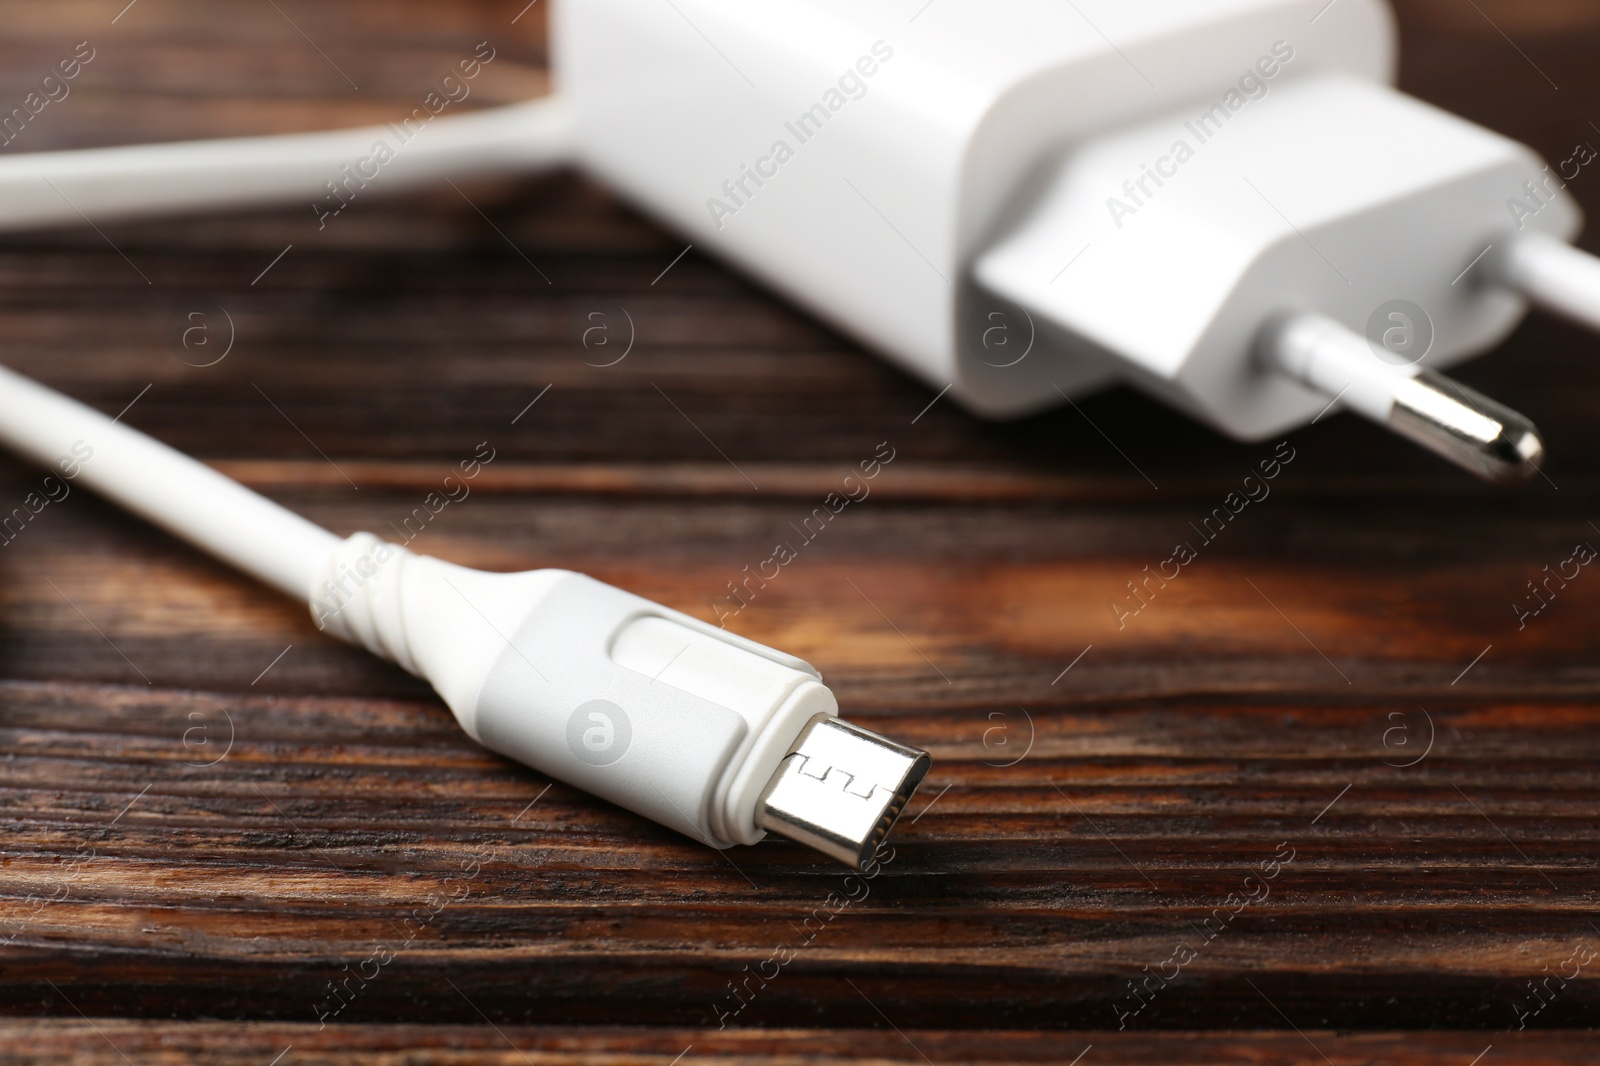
(935, 127)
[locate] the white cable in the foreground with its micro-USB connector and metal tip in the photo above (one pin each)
(702, 731)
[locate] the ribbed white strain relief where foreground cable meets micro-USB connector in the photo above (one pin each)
(356, 596)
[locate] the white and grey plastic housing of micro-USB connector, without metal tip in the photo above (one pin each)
(641, 705)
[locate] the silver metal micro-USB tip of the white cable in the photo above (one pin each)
(841, 790)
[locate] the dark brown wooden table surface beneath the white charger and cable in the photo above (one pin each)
(1324, 775)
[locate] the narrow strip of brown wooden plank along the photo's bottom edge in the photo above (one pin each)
(233, 1044)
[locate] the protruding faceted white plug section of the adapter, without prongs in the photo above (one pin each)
(1327, 196)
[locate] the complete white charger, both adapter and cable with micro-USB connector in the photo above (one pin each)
(1220, 202)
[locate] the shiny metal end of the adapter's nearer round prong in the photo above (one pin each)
(1466, 428)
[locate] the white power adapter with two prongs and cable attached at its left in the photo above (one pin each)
(1220, 202)
